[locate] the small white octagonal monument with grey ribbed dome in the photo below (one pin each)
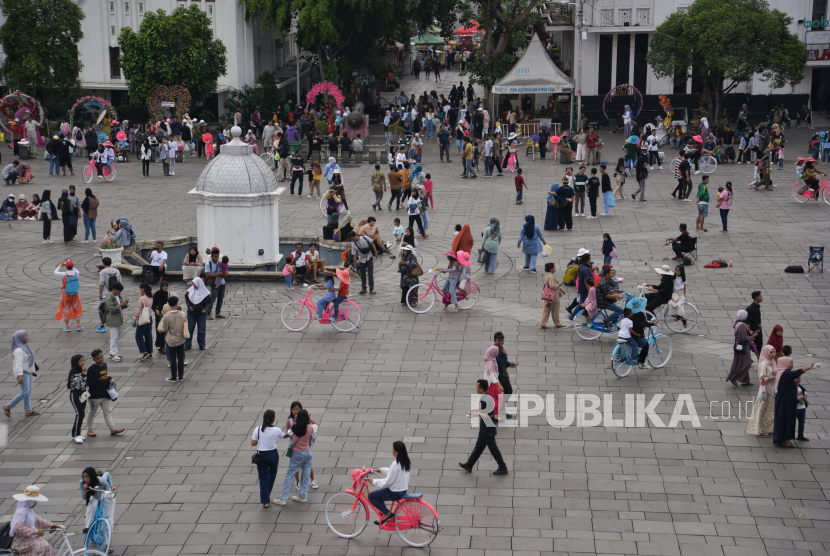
(237, 207)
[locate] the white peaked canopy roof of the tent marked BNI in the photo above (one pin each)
(535, 72)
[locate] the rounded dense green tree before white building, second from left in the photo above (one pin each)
(172, 49)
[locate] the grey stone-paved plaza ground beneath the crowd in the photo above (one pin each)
(186, 484)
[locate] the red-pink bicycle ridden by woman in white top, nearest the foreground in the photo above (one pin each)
(347, 513)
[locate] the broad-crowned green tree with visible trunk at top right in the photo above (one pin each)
(728, 42)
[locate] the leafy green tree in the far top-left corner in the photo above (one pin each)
(40, 40)
